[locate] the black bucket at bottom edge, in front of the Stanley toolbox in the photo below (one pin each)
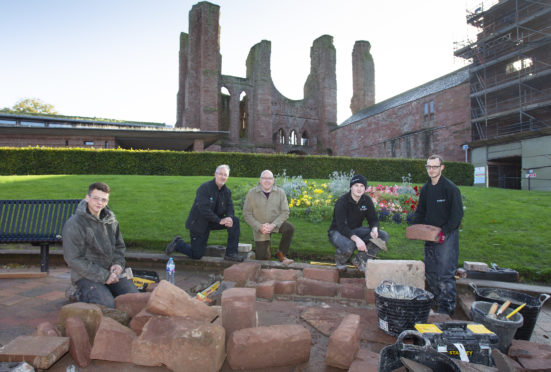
(420, 352)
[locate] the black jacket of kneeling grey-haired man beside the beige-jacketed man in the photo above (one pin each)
(211, 205)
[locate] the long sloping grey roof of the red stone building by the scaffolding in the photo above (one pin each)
(444, 82)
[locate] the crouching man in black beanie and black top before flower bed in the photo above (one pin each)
(346, 232)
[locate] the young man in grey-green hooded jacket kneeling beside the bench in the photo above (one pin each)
(94, 250)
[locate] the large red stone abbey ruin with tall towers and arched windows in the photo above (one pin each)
(257, 117)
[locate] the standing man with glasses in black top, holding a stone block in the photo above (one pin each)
(440, 205)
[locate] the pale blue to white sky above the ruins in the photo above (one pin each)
(118, 59)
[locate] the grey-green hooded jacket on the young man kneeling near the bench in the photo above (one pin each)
(92, 245)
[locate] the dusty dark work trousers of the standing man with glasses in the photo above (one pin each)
(440, 267)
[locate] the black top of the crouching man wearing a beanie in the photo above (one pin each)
(349, 215)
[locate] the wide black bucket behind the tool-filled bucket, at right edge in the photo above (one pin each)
(530, 312)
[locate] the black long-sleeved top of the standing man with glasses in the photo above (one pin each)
(440, 205)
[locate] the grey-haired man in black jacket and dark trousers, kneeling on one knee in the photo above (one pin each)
(211, 210)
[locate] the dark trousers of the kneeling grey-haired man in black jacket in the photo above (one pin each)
(198, 246)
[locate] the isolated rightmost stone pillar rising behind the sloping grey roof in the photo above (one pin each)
(363, 77)
